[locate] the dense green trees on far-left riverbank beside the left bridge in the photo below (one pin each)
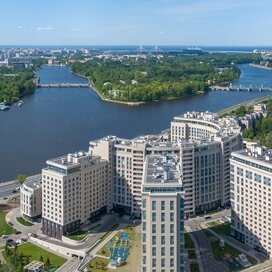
(15, 83)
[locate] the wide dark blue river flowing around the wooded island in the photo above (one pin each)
(53, 122)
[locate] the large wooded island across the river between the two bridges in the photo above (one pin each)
(160, 78)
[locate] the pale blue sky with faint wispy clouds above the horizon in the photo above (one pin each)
(136, 22)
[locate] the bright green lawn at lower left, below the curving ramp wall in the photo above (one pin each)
(34, 252)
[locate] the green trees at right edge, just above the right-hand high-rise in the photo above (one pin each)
(262, 131)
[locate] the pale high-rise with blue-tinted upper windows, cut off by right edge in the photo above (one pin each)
(251, 200)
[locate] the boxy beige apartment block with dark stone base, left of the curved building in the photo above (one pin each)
(75, 191)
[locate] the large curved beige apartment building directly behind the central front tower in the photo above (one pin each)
(203, 142)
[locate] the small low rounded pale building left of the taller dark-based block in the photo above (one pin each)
(31, 198)
